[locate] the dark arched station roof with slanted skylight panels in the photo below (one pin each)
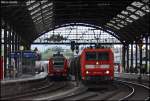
(128, 19)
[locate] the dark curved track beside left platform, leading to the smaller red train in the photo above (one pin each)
(38, 91)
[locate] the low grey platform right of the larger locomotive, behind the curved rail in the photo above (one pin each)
(132, 76)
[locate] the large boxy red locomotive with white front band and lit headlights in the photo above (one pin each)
(97, 64)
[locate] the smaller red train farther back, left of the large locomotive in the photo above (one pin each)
(58, 66)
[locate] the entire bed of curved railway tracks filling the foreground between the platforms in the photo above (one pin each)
(63, 90)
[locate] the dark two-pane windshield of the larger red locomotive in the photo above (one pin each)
(97, 56)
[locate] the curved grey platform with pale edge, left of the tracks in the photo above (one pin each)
(23, 84)
